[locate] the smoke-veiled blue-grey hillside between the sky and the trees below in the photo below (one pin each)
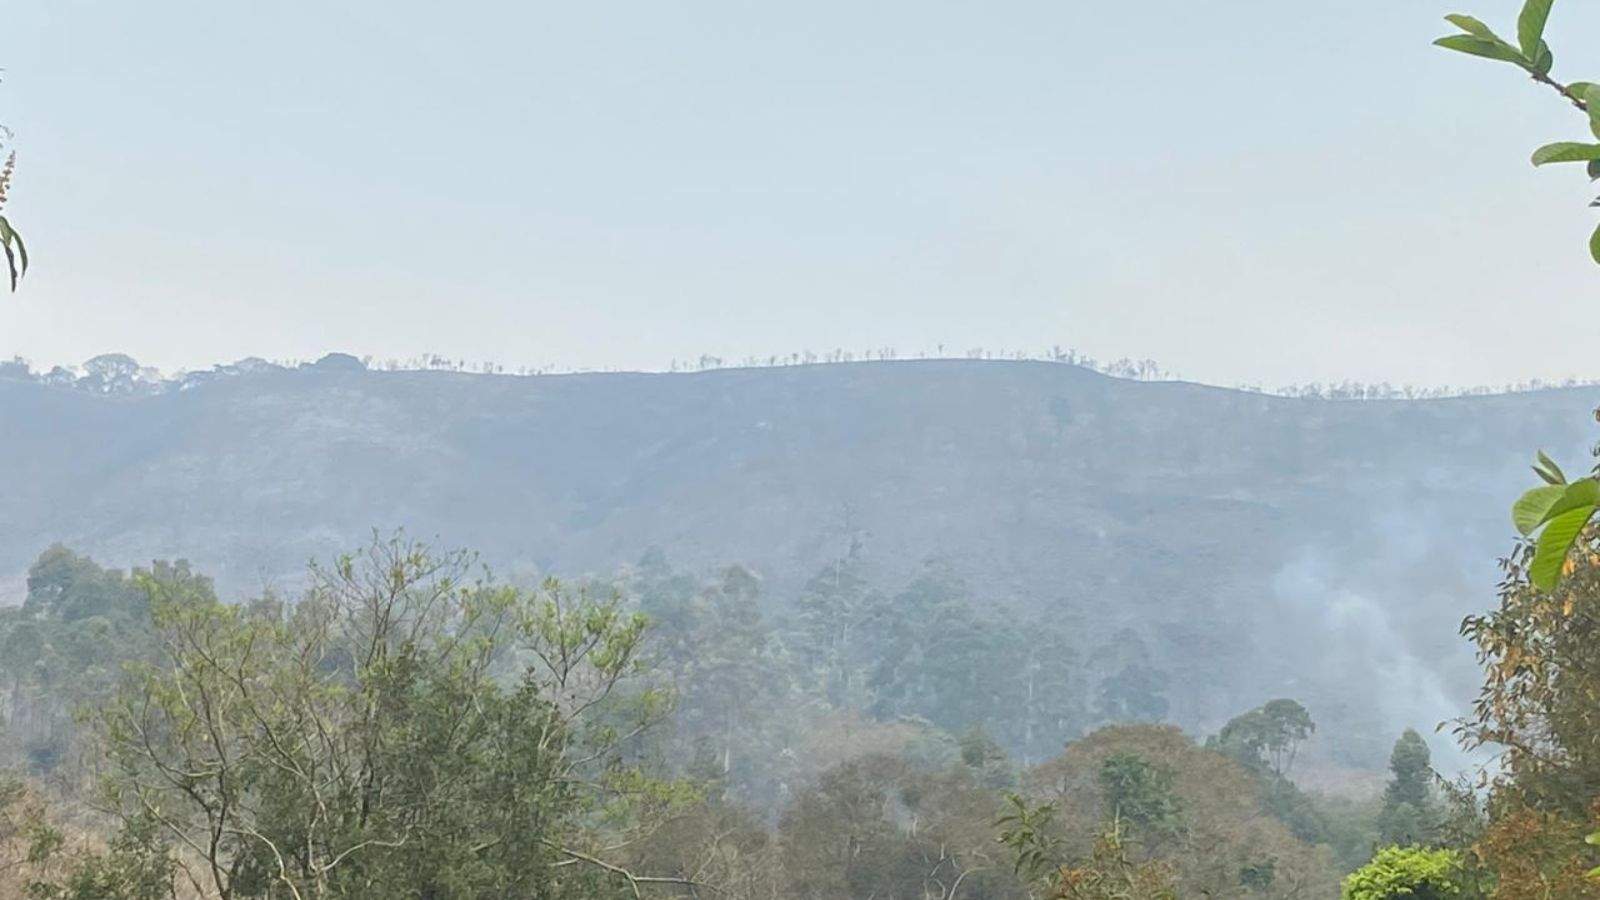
(1260, 547)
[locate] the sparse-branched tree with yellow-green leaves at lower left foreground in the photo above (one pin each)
(404, 731)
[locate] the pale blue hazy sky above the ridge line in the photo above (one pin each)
(1244, 190)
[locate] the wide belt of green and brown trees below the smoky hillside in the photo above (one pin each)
(414, 726)
